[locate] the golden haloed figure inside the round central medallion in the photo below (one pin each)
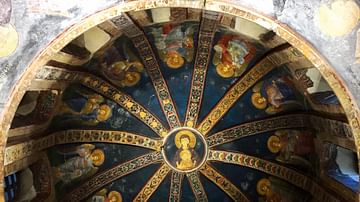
(186, 156)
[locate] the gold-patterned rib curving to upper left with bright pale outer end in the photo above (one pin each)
(104, 88)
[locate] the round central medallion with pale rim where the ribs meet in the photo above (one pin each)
(184, 149)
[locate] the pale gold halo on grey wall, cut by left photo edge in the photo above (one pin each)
(9, 40)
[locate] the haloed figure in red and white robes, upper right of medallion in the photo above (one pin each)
(232, 55)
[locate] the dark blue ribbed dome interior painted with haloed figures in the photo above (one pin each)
(186, 111)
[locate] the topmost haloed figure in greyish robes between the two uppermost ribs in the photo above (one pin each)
(175, 44)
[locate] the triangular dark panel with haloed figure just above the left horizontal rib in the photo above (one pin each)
(86, 109)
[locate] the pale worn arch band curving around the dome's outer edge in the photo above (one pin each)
(328, 72)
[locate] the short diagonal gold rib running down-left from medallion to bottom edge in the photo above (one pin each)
(152, 184)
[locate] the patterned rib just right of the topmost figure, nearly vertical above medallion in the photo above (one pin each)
(208, 26)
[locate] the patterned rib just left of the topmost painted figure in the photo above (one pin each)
(141, 43)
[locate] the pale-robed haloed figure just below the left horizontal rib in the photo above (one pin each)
(80, 166)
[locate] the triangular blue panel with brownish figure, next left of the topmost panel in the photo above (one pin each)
(122, 67)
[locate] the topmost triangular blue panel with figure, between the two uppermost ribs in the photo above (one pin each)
(181, 75)
